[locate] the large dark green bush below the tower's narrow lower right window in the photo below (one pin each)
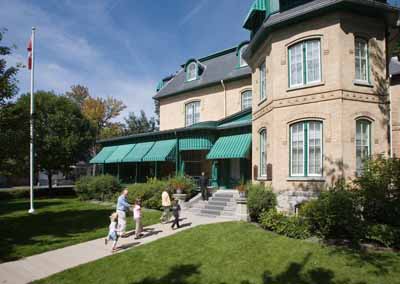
(334, 215)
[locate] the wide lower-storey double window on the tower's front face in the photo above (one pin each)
(306, 148)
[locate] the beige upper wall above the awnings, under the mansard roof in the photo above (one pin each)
(172, 109)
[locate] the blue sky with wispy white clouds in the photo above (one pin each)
(119, 48)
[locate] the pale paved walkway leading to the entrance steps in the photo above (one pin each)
(48, 263)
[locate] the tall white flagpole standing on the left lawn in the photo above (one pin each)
(32, 170)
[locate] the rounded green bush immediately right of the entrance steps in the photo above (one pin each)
(259, 199)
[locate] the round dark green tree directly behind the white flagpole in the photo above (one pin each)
(62, 134)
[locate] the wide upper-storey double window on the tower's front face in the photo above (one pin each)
(305, 63)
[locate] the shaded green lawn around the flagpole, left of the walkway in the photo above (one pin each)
(56, 223)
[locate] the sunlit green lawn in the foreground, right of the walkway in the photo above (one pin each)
(235, 253)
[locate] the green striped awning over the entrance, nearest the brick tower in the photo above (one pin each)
(231, 147)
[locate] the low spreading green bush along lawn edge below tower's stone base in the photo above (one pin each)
(290, 226)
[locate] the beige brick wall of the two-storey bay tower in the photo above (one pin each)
(336, 101)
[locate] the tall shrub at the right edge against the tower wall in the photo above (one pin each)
(379, 191)
